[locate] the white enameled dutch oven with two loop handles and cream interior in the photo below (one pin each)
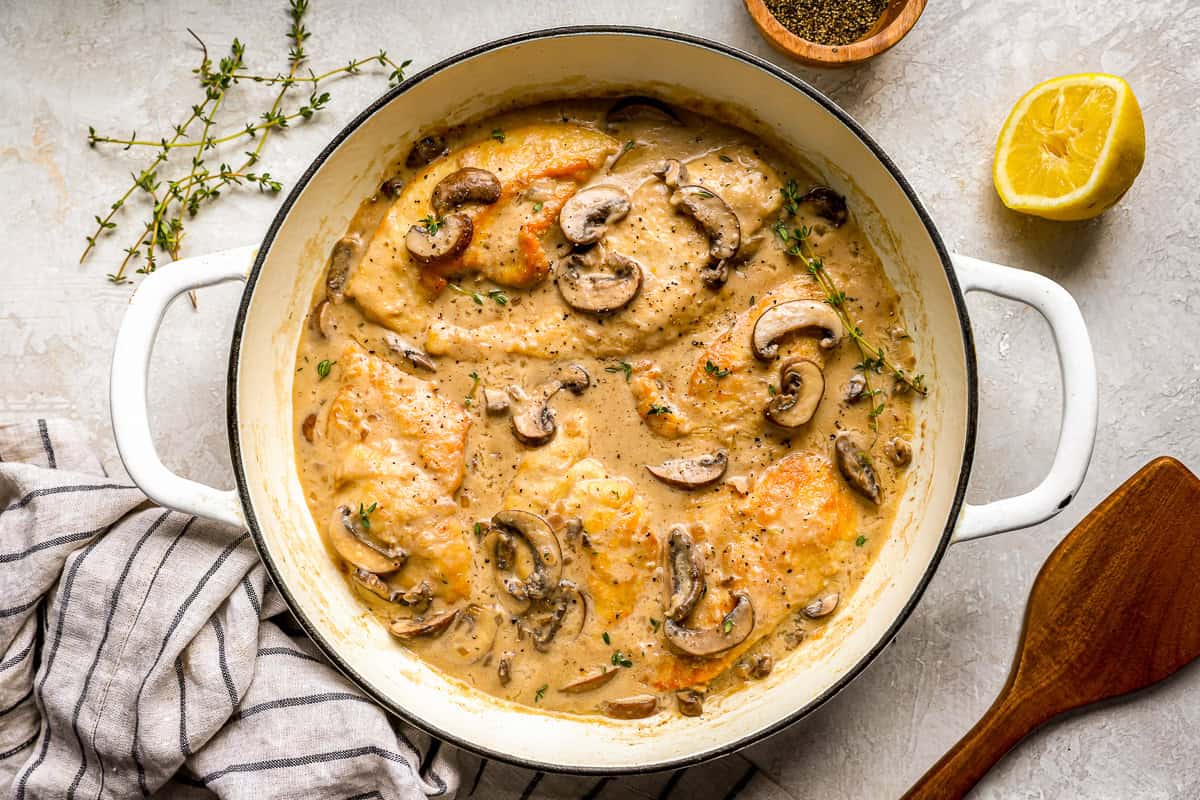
(281, 273)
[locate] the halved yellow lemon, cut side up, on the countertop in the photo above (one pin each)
(1071, 148)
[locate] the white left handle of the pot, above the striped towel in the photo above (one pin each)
(131, 365)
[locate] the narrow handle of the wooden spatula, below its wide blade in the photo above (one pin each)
(1007, 723)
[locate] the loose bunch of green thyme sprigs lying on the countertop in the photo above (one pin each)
(177, 197)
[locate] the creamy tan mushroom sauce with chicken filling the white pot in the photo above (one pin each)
(405, 467)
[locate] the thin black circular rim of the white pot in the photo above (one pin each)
(331, 649)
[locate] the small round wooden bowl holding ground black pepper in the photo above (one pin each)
(892, 26)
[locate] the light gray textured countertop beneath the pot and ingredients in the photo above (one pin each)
(935, 104)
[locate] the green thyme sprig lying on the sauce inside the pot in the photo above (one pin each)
(874, 359)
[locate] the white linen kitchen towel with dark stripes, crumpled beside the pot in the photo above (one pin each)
(145, 653)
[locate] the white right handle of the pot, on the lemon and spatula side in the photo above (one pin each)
(1077, 435)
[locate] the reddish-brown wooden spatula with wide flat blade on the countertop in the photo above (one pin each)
(1115, 609)
